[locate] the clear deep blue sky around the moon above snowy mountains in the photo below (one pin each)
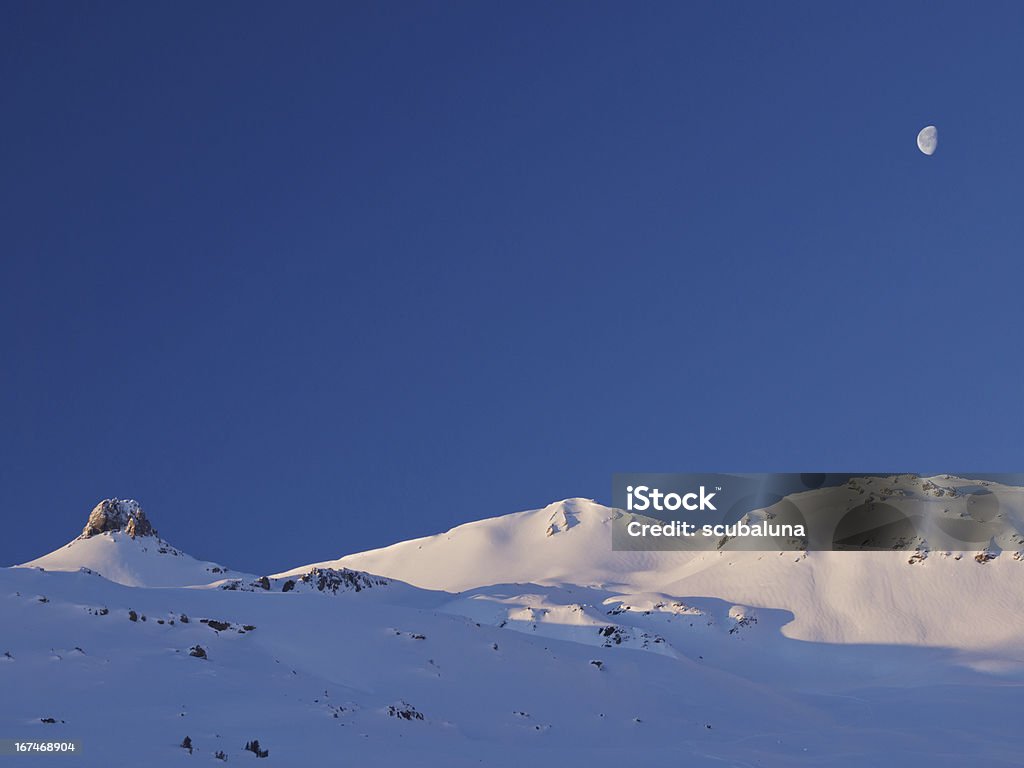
(312, 279)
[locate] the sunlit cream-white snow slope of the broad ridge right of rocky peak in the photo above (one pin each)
(946, 600)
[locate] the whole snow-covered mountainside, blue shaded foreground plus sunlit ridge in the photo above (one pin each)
(518, 641)
